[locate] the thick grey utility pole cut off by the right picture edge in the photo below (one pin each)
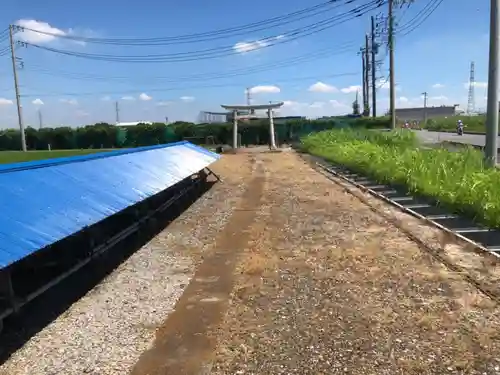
(491, 147)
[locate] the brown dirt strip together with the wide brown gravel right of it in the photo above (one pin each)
(306, 279)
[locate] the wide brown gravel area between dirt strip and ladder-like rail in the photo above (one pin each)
(327, 286)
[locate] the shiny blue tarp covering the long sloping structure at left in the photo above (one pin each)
(42, 202)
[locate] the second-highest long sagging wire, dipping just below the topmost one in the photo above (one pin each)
(228, 50)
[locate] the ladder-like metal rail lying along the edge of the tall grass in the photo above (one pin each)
(482, 238)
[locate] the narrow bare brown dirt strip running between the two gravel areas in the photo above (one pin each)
(186, 341)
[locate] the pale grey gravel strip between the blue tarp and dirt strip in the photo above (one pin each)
(106, 331)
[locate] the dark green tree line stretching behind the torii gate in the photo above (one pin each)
(103, 135)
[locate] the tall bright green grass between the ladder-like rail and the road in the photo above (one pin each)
(458, 179)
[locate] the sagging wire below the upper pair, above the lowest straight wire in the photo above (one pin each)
(304, 58)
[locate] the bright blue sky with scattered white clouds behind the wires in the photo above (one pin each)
(315, 71)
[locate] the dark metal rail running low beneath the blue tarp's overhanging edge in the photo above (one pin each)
(106, 245)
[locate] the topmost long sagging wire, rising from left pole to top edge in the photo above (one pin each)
(209, 36)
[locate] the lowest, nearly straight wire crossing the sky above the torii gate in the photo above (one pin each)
(183, 87)
